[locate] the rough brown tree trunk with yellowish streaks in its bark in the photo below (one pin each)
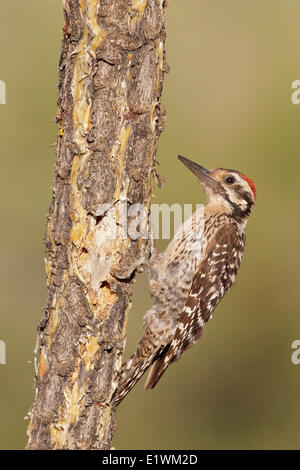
(110, 81)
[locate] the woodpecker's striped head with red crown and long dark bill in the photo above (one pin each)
(230, 189)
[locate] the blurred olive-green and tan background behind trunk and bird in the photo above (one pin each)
(228, 101)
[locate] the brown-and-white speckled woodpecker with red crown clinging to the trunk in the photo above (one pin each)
(192, 275)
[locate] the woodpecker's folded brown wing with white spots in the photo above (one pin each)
(215, 275)
